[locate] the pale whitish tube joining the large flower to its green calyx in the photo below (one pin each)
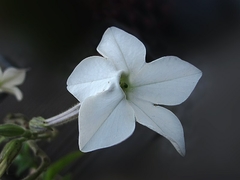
(64, 117)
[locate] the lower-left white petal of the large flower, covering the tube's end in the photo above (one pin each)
(105, 120)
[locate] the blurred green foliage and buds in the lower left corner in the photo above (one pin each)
(19, 138)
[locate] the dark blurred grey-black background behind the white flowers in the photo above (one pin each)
(52, 37)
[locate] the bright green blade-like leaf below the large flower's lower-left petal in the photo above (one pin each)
(58, 166)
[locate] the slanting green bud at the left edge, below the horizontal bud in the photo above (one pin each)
(8, 154)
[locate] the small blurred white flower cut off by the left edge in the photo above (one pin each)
(9, 79)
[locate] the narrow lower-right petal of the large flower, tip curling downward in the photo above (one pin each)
(161, 121)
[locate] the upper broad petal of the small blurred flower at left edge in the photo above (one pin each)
(13, 76)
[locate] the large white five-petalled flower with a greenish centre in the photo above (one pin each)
(120, 88)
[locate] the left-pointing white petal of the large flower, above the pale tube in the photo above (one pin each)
(91, 76)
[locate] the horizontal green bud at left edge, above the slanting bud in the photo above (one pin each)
(11, 130)
